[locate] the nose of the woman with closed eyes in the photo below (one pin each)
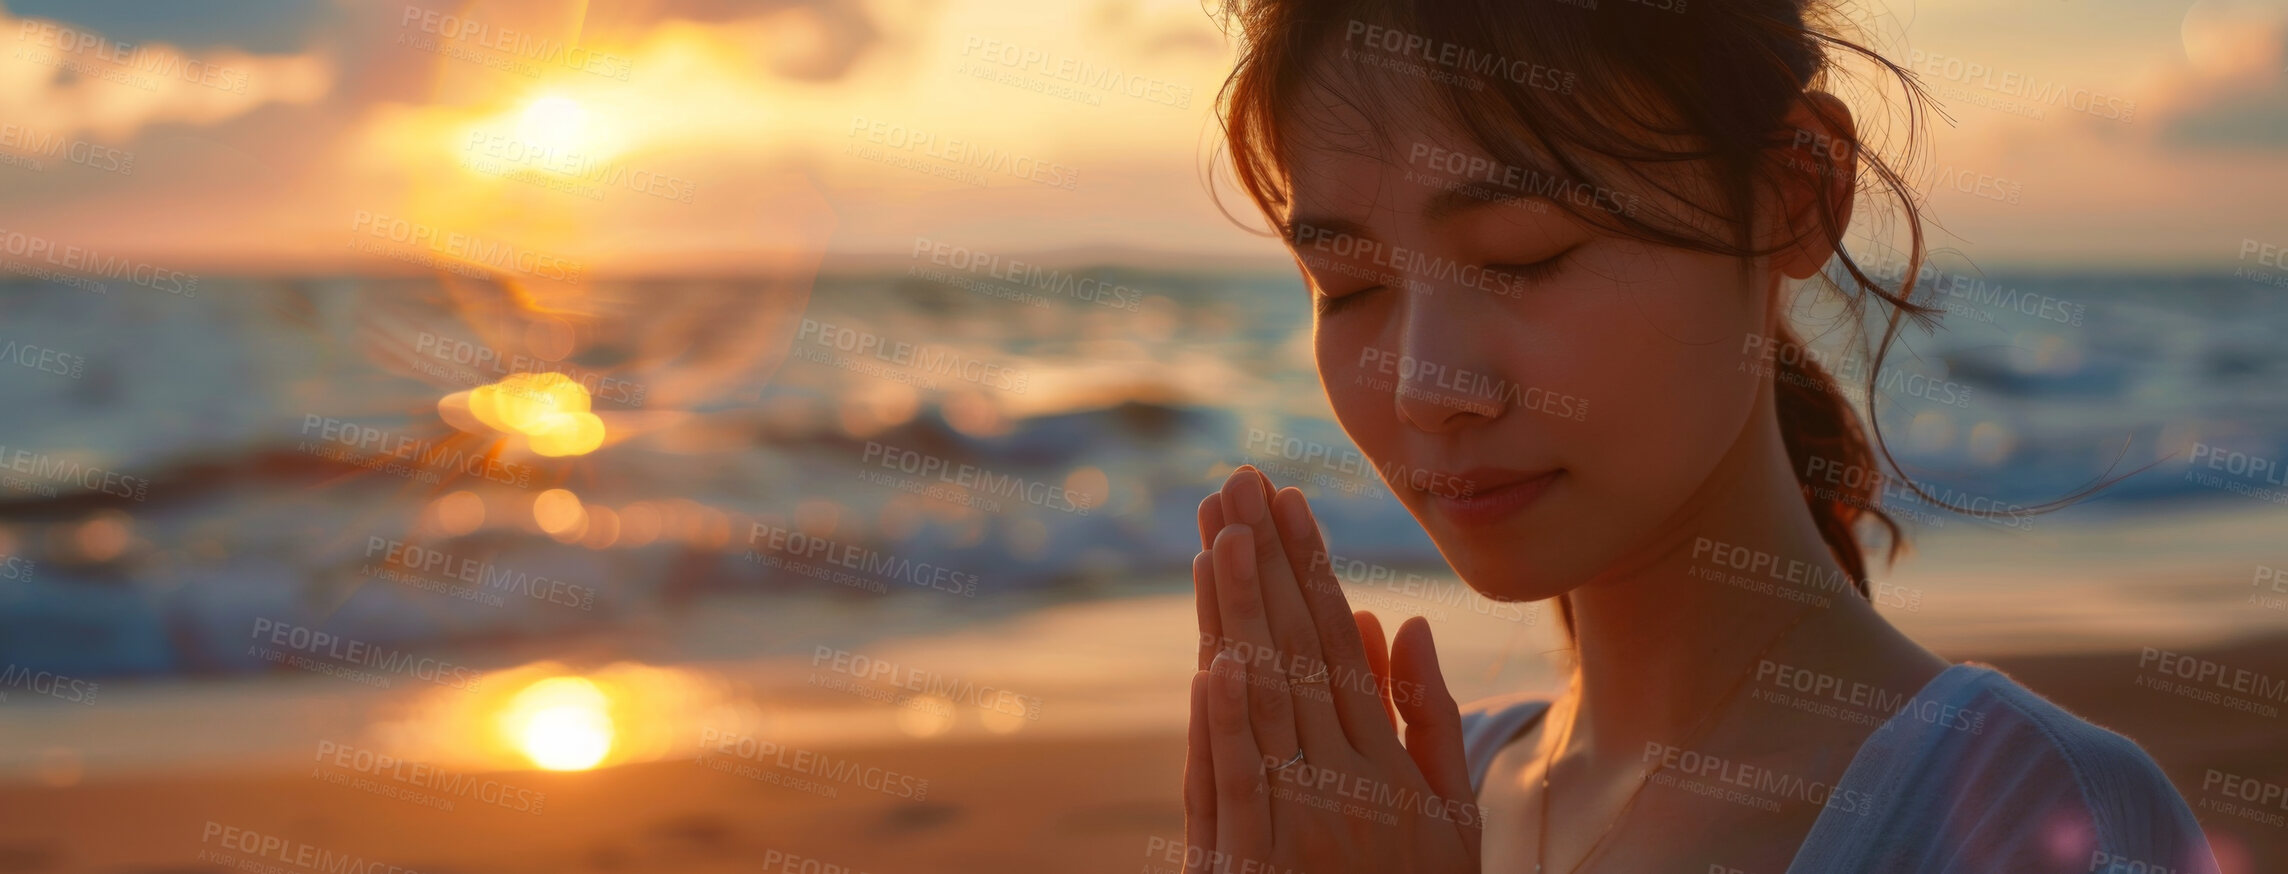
(1440, 386)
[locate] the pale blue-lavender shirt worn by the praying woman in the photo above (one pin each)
(1976, 774)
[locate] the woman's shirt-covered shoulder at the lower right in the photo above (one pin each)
(2012, 781)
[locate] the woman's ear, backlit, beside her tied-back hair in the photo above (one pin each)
(1816, 177)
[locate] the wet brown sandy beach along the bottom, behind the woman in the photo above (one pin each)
(1051, 802)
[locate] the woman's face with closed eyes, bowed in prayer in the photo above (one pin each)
(1543, 397)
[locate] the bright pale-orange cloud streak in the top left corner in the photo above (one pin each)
(65, 79)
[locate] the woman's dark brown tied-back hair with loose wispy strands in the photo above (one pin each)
(1600, 100)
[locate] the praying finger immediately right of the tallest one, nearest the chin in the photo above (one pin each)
(1360, 701)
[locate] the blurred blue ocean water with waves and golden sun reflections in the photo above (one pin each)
(189, 475)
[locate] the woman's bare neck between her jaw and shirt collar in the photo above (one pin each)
(1676, 635)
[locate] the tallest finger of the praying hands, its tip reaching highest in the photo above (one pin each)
(1292, 623)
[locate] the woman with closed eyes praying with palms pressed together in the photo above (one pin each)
(1550, 251)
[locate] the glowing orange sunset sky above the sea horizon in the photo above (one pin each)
(692, 138)
